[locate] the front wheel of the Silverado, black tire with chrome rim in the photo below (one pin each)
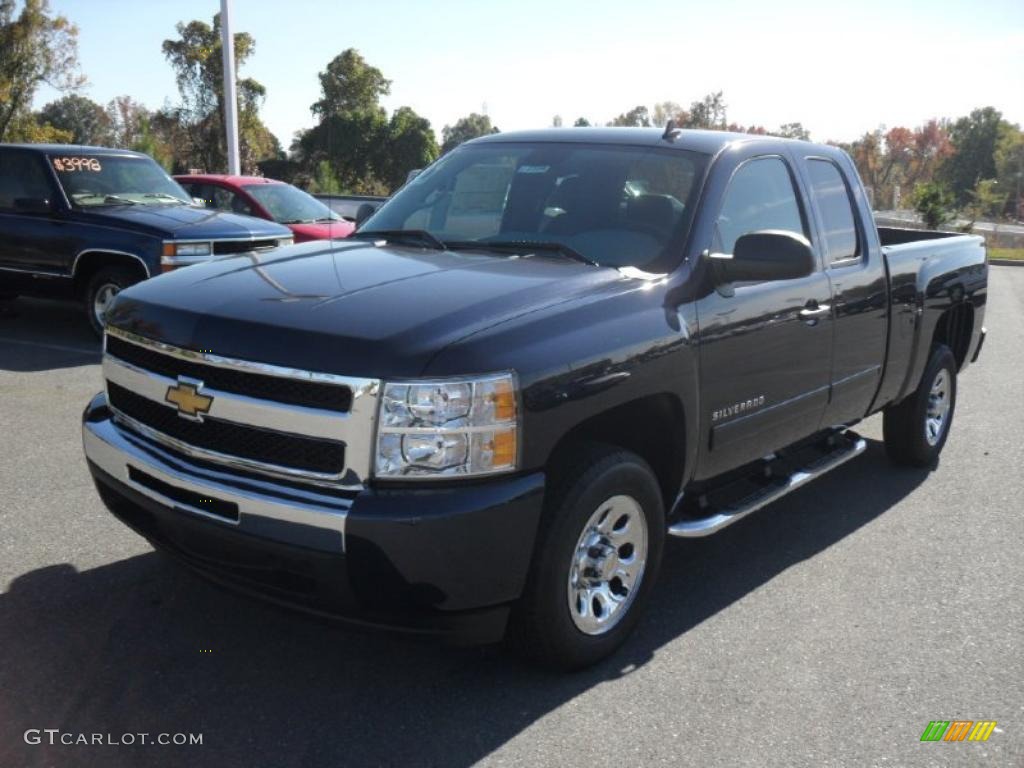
(600, 550)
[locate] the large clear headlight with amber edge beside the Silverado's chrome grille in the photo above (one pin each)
(445, 429)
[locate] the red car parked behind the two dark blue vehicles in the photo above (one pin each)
(269, 199)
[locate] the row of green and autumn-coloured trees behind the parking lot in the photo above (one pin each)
(973, 164)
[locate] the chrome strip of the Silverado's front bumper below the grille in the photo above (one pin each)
(282, 513)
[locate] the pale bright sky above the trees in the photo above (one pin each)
(840, 69)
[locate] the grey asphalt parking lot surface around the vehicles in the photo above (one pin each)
(827, 630)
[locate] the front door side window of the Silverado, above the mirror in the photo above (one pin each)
(760, 196)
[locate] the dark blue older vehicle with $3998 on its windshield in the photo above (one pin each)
(83, 223)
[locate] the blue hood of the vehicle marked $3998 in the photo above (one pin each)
(185, 223)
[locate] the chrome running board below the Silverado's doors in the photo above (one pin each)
(839, 449)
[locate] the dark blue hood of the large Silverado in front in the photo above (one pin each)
(354, 309)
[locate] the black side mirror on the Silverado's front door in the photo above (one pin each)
(767, 255)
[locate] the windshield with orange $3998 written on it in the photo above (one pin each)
(116, 180)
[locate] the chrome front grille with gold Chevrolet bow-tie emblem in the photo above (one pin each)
(281, 422)
